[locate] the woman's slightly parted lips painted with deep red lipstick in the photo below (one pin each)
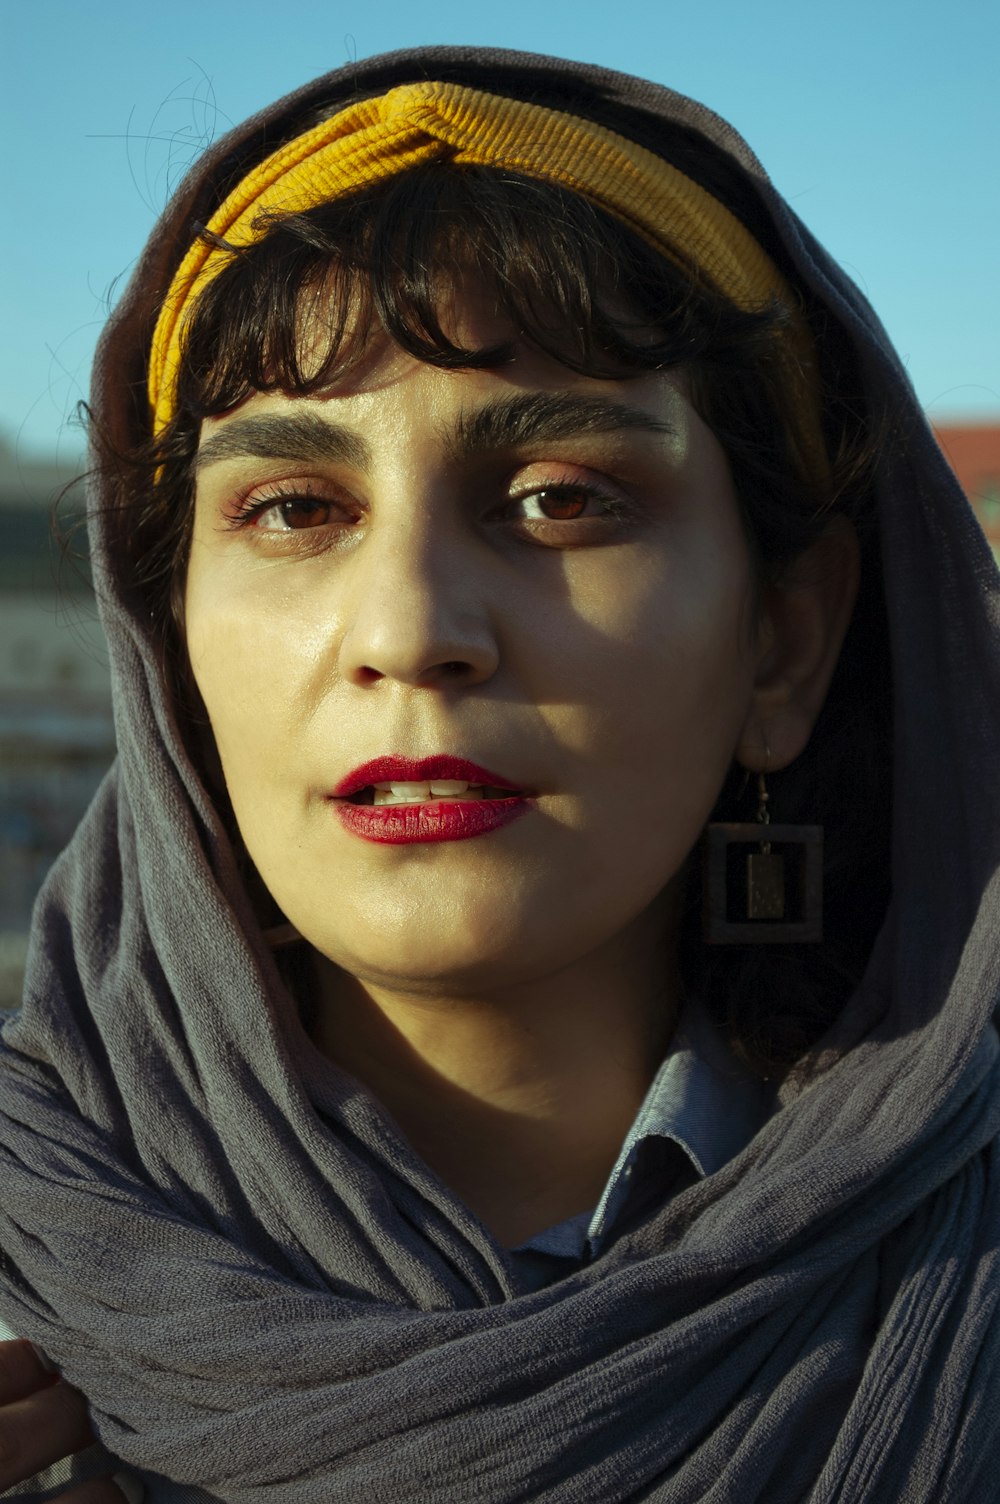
(434, 819)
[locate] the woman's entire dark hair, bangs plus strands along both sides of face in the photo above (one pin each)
(592, 294)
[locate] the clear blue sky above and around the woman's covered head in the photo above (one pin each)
(876, 118)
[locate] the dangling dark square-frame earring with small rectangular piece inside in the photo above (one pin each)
(763, 882)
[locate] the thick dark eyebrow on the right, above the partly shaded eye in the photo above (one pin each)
(512, 422)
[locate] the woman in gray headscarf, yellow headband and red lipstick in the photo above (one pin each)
(503, 497)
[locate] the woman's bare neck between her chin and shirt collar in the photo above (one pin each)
(518, 1099)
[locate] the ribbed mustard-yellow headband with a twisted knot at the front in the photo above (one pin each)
(414, 124)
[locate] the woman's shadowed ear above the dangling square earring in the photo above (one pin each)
(805, 617)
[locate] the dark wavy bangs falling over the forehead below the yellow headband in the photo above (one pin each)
(569, 279)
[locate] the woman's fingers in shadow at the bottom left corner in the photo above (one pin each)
(43, 1421)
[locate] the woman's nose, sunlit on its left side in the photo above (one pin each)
(417, 611)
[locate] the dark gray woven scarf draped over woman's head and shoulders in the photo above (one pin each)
(273, 1308)
